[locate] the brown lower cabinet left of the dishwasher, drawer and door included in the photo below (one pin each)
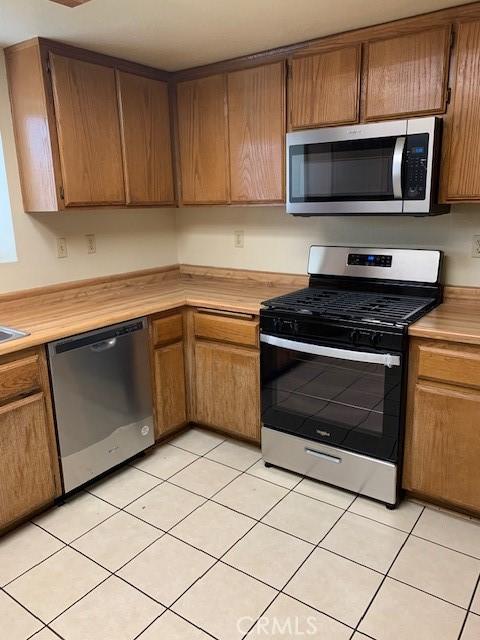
(28, 459)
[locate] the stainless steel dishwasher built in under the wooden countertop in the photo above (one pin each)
(102, 395)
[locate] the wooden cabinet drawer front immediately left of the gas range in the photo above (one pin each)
(226, 329)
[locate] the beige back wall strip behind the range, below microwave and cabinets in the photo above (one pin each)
(275, 241)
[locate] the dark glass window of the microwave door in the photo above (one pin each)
(342, 171)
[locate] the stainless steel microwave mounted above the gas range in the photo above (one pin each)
(378, 168)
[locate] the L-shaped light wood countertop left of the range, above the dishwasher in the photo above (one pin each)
(59, 311)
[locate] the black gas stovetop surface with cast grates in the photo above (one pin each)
(361, 306)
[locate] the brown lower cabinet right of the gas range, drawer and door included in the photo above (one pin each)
(443, 423)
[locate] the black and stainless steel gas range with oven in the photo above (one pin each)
(334, 364)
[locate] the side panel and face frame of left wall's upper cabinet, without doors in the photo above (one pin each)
(31, 92)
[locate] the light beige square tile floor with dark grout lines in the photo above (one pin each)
(199, 540)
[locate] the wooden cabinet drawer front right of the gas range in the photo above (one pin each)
(460, 366)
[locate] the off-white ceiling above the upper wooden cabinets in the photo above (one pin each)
(175, 34)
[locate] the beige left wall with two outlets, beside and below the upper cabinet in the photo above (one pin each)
(126, 240)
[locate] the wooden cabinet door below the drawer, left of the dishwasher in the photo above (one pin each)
(27, 477)
